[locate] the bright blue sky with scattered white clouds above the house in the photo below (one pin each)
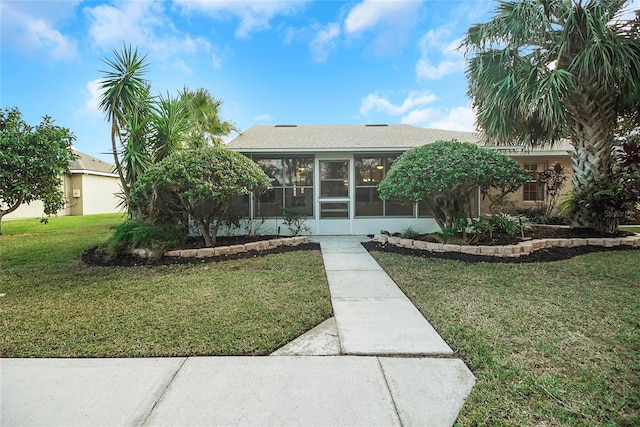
(270, 62)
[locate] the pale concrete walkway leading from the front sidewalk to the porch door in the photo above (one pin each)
(345, 372)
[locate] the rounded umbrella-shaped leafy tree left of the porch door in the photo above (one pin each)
(199, 183)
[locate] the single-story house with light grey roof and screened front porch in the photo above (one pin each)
(332, 172)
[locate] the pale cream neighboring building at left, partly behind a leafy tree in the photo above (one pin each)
(89, 188)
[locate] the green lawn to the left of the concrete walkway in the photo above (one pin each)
(55, 306)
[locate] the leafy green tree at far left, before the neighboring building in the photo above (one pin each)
(32, 161)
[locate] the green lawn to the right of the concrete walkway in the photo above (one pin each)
(551, 343)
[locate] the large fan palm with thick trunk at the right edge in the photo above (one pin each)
(543, 70)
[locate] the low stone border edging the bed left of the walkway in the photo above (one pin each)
(259, 245)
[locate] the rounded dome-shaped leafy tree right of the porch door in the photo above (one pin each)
(447, 175)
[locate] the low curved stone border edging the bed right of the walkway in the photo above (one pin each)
(511, 251)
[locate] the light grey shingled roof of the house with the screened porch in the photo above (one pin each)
(395, 137)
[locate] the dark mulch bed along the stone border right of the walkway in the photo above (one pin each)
(537, 232)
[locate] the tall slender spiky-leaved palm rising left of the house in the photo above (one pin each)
(125, 98)
